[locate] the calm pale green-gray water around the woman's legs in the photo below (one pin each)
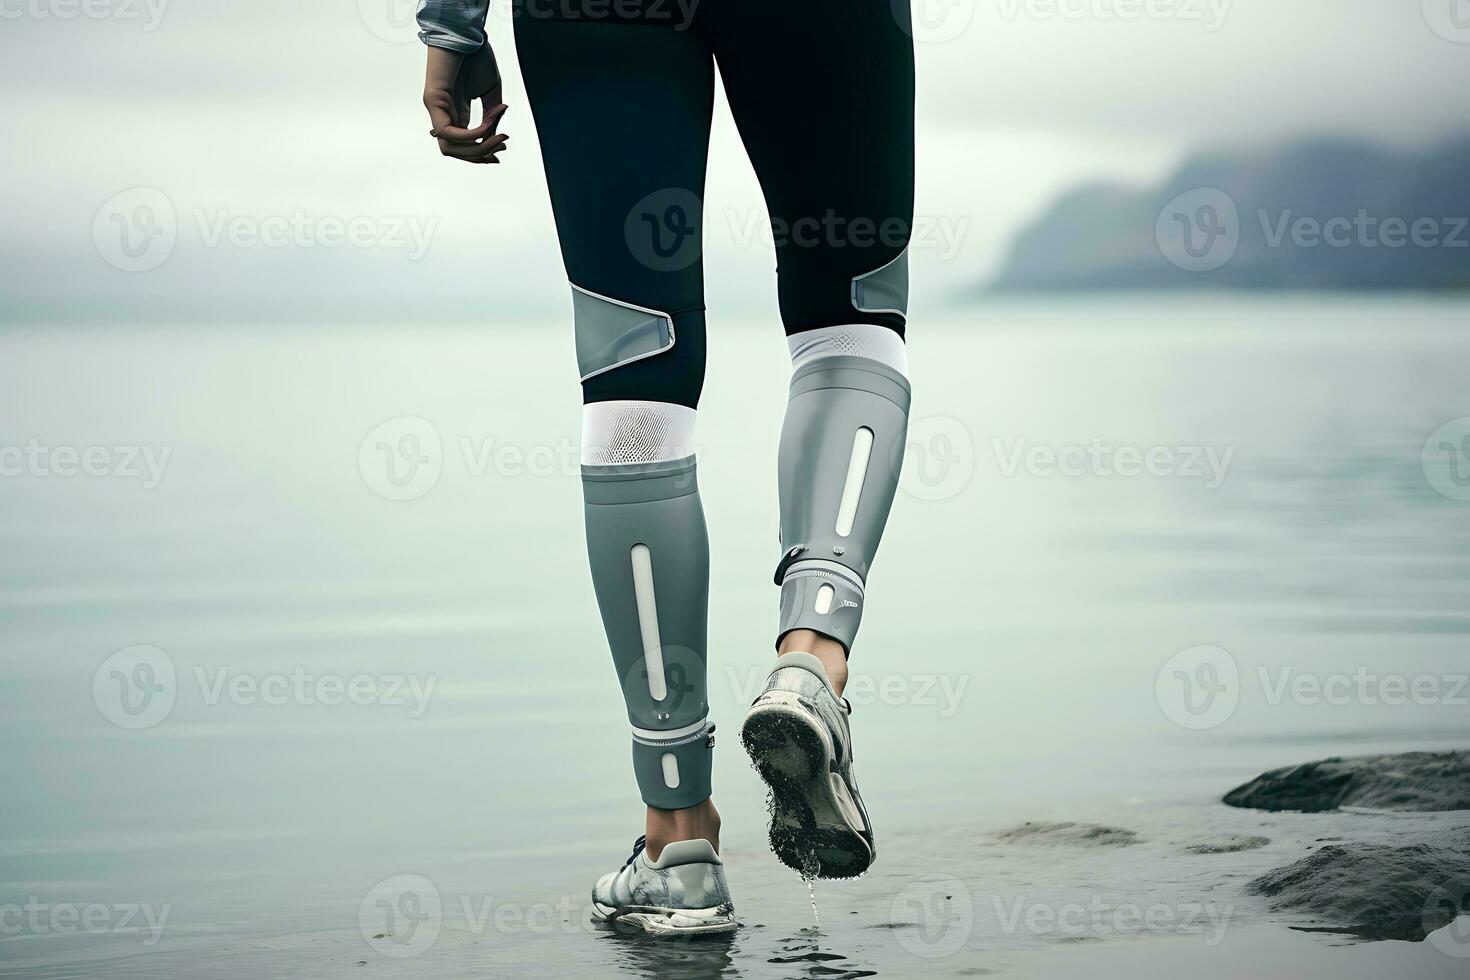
(314, 644)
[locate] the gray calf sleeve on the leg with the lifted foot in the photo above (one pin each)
(842, 450)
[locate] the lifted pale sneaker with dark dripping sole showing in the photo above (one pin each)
(797, 735)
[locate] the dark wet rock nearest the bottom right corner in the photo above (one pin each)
(1374, 891)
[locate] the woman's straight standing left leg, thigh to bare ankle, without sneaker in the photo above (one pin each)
(623, 114)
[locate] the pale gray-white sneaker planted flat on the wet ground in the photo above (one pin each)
(681, 894)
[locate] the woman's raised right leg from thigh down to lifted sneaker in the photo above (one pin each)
(824, 96)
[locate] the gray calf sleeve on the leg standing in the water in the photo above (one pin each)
(650, 561)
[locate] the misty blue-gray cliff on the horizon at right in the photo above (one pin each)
(1324, 215)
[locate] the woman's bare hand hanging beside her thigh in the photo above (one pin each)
(452, 84)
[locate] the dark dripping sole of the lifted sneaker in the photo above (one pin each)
(815, 824)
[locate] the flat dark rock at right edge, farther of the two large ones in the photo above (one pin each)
(1413, 781)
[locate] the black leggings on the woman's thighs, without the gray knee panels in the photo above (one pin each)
(822, 92)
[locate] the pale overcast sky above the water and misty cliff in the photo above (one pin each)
(236, 114)
